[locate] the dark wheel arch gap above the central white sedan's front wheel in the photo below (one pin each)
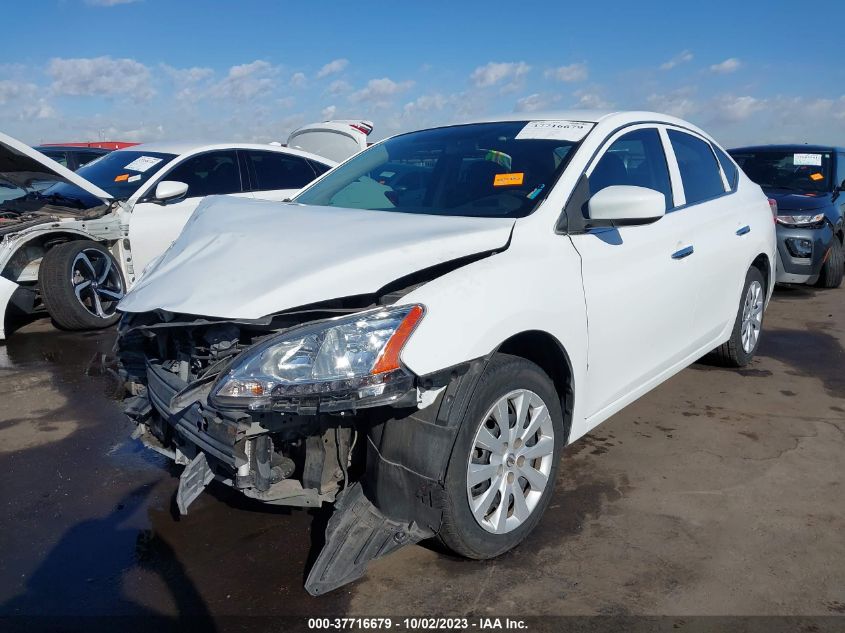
(547, 352)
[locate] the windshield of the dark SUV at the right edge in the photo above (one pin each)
(794, 170)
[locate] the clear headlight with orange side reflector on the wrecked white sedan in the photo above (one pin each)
(349, 362)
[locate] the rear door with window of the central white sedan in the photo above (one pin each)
(722, 226)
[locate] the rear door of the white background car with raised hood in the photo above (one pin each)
(277, 175)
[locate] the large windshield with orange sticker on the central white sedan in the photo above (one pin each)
(482, 170)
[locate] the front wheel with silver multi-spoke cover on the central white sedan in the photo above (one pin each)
(503, 467)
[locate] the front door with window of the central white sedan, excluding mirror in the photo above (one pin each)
(638, 284)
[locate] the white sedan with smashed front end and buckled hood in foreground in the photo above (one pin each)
(420, 333)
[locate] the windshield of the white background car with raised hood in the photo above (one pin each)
(118, 173)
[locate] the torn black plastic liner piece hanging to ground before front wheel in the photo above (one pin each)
(356, 534)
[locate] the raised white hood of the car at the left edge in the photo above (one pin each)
(21, 165)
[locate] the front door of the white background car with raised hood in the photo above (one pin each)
(154, 224)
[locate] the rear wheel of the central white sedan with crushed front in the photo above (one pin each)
(745, 336)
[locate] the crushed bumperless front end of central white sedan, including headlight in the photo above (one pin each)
(375, 447)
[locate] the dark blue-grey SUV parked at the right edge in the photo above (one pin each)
(807, 183)
